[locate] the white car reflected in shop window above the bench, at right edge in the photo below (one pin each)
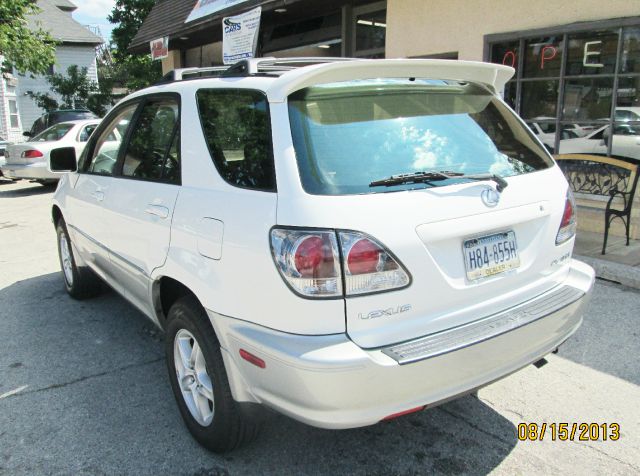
(626, 142)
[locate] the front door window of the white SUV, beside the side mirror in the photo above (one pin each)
(105, 152)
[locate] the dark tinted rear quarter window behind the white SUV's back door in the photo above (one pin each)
(236, 128)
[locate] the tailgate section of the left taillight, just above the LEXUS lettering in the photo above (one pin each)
(369, 266)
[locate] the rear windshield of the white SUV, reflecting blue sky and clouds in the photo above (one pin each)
(349, 134)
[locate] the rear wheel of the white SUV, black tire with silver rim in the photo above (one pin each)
(199, 382)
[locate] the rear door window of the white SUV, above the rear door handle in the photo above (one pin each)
(153, 151)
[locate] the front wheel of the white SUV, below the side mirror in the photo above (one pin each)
(81, 283)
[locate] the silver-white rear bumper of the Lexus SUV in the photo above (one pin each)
(329, 382)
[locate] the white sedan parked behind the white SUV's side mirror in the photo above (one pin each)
(30, 160)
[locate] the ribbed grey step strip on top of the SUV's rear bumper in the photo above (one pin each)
(483, 329)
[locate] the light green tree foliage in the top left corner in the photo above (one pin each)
(22, 48)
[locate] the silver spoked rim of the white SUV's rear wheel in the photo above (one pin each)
(194, 380)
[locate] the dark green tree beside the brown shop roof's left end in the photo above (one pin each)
(133, 71)
